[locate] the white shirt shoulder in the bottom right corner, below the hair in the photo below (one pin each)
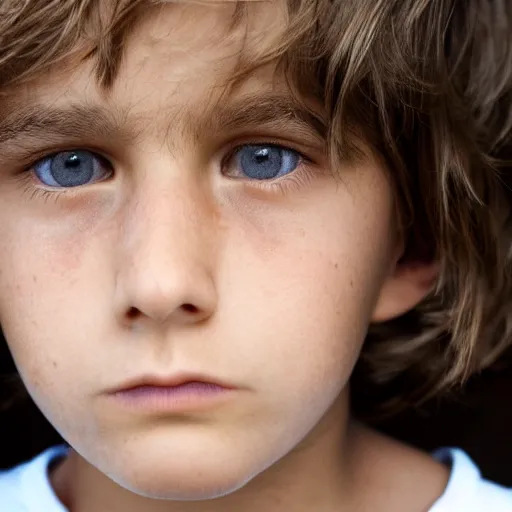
(467, 491)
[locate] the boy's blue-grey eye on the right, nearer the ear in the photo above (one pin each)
(265, 161)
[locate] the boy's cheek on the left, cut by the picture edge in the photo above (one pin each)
(43, 299)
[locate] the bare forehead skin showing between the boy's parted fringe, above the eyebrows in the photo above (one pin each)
(192, 48)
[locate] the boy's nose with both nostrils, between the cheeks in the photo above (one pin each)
(166, 256)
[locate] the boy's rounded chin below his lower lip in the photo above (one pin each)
(183, 466)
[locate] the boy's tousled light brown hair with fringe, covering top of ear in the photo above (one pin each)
(427, 84)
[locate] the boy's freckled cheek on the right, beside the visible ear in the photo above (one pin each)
(315, 276)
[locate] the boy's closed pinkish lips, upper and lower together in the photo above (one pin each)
(177, 393)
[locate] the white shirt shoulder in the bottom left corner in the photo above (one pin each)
(26, 486)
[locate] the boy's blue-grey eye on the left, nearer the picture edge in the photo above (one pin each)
(71, 169)
